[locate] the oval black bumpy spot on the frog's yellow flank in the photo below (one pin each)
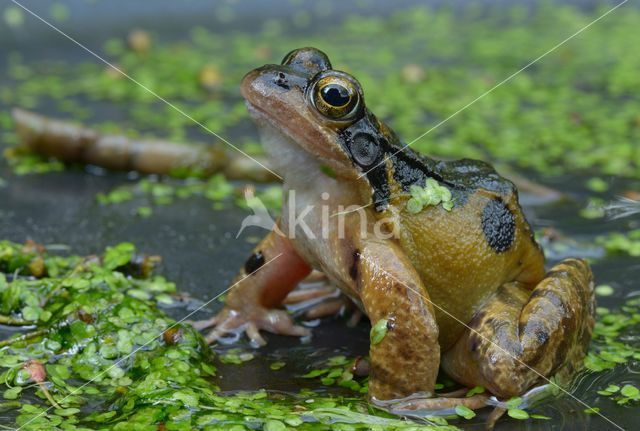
(498, 225)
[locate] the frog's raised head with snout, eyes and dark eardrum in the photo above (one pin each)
(306, 103)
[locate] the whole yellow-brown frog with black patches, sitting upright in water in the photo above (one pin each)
(461, 286)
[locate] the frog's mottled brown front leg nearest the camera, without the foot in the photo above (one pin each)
(406, 360)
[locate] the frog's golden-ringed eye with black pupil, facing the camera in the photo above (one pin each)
(336, 97)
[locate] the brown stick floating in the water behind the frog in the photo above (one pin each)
(74, 143)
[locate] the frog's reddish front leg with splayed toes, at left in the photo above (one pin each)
(269, 274)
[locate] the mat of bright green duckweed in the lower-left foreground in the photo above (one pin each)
(101, 354)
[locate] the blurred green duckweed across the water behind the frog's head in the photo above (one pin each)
(552, 117)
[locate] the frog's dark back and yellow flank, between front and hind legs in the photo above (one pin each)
(465, 254)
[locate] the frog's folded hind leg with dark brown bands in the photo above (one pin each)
(521, 336)
